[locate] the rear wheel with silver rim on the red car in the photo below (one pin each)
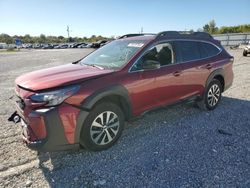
(212, 96)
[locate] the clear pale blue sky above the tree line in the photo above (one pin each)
(116, 17)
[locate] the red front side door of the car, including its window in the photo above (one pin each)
(158, 86)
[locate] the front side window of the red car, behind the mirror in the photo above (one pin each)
(162, 53)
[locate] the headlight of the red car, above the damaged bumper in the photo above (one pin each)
(55, 97)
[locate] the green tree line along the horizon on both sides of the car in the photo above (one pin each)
(210, 27)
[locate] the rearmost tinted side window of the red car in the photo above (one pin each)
(207, 50)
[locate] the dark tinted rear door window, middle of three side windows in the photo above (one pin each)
(188, 50)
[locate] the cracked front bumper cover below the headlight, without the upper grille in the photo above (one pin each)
(50, 130)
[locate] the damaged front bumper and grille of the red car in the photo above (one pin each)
(47, 128)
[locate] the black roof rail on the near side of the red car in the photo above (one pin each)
(203, 35)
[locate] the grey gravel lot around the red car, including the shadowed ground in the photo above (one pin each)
(179, 146)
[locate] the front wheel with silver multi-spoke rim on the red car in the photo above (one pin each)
(102, 127)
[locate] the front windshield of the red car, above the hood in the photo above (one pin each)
(113, 55)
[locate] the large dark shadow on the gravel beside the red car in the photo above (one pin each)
(177, 146)
